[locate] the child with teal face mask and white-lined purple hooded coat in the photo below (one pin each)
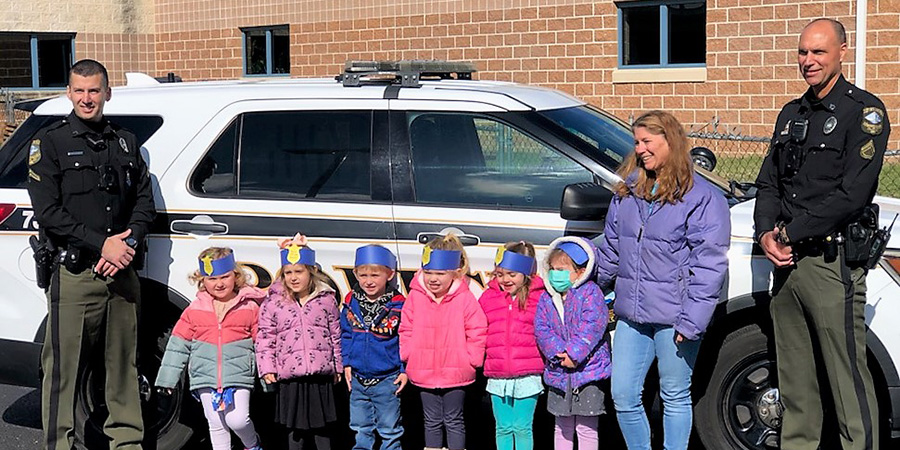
(570, 327)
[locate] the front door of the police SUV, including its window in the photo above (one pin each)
(481, 175)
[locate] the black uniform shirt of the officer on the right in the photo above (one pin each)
(842, 157)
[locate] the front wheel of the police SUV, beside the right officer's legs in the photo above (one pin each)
(739, 408)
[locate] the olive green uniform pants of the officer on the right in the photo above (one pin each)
(822, 304)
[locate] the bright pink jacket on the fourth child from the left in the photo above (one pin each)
(442, 343)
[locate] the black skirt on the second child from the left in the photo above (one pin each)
(305, 403)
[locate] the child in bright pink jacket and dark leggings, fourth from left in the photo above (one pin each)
(442, 338)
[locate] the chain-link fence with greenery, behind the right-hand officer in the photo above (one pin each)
(739, 157)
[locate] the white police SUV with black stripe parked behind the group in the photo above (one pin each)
(391, 154)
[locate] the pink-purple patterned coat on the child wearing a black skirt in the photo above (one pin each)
(294, 340)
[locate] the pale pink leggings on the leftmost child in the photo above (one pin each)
(236, 418)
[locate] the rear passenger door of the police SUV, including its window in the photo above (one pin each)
(264, 170)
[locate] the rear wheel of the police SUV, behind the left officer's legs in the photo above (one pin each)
(167, 418)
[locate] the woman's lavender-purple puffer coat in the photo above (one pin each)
(670, 267)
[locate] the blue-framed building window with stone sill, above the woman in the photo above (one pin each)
(670, 33)
